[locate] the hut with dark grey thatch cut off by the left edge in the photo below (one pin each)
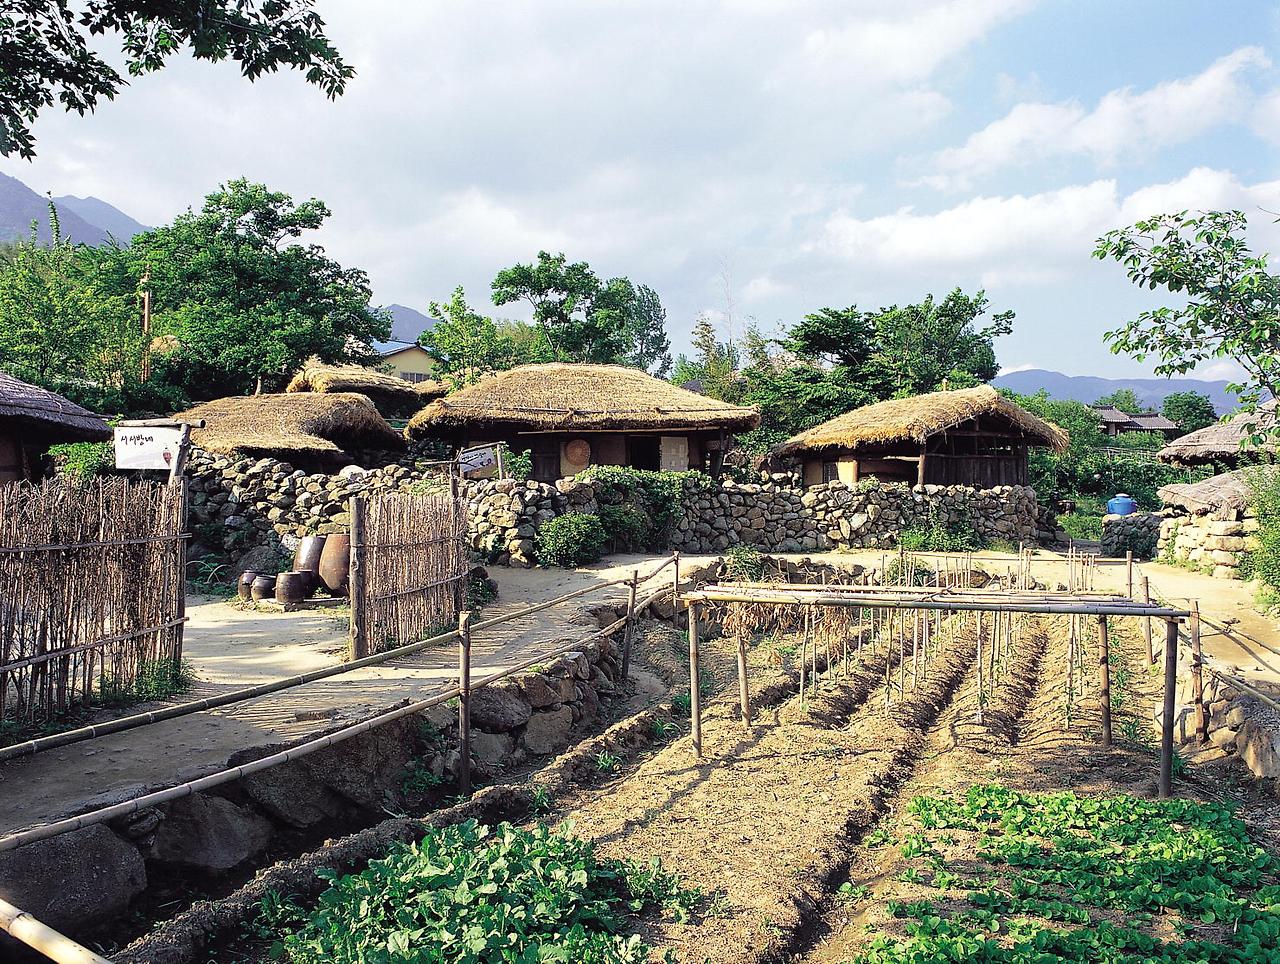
(31, 421)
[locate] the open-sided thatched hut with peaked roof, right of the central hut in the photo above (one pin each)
(968, 437)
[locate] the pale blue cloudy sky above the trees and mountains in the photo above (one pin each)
(749, 159)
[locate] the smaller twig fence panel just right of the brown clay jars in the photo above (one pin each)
(409, 568)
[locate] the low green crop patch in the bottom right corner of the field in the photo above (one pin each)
(1071, 879)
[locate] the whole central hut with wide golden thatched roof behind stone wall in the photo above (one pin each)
(572, 417)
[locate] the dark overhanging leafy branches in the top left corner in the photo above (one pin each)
(45, 53)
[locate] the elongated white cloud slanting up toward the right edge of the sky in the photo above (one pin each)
(1123, 122)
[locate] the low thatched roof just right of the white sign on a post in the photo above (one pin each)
(309, 426)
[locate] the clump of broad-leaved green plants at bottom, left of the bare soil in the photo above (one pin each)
(477, 894)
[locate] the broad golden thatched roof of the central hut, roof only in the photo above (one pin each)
(579, 398)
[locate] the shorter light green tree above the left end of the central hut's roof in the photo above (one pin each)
(467, 345)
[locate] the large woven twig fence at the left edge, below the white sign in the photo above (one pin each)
(92, 579)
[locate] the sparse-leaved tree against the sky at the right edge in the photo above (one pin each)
(1232, 299)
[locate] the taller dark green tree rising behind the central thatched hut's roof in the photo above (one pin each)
(586, 319)
